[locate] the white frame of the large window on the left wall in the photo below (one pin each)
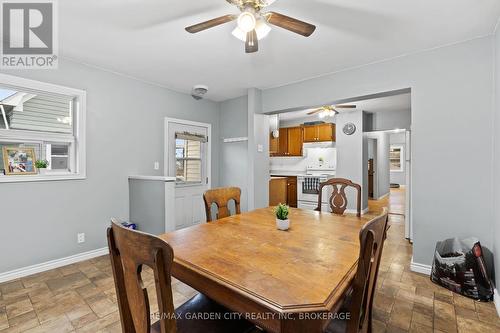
(76, 140)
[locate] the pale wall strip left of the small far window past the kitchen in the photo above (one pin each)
(382, 173)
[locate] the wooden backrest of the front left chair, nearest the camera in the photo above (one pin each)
(129, 251)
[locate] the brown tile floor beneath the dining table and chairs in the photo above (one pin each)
(81, 297)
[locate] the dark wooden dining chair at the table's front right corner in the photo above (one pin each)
(359, 299)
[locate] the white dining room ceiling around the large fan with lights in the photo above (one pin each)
(146, 38)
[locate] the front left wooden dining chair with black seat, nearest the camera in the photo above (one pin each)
(129, 251)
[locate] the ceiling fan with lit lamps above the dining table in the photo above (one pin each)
(253, 24)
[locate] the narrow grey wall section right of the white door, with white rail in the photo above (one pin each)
(234, 156)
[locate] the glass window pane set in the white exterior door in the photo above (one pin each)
(189, 152)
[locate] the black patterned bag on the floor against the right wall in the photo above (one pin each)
(459, 266)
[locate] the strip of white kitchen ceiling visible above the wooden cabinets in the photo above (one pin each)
(401, 102)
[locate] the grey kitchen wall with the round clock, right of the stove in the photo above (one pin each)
(352, 156)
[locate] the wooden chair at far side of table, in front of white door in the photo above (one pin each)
(221, 197)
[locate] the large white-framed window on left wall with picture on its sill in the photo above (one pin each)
(48, 118)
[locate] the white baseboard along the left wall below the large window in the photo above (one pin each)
(29, 270)
